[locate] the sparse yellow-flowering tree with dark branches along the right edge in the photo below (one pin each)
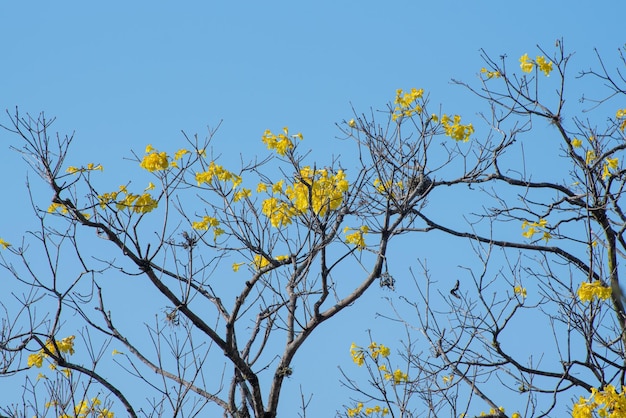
(484, 340)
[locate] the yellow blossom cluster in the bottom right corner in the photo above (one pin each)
(606, 403)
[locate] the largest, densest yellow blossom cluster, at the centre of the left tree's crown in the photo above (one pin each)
(318, 191)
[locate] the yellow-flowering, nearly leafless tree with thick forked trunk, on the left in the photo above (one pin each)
(288, 237)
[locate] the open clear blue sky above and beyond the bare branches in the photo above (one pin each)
(125, 74)
